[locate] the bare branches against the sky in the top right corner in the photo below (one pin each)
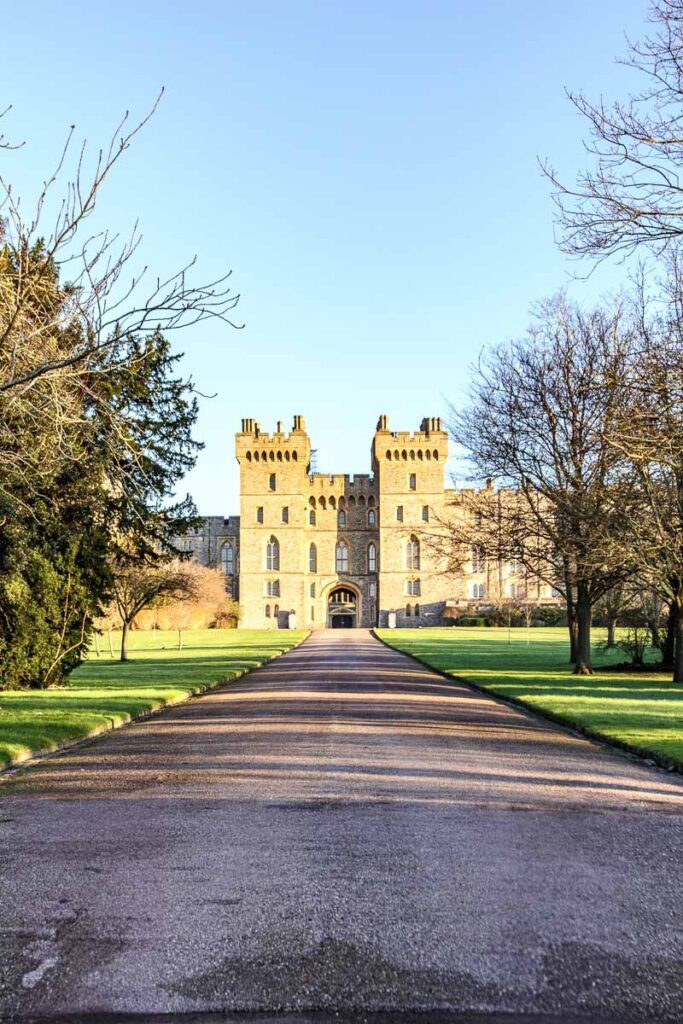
(633, 194)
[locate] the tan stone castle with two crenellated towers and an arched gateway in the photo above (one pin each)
(317, 550)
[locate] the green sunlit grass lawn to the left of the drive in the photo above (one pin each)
(104, 693)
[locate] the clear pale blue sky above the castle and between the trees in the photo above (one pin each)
(368, 170)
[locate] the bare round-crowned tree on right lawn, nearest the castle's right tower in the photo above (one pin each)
(540, 413)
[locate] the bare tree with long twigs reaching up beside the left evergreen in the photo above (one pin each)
(70, 301)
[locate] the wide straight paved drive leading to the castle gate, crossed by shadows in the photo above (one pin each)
(346, 832)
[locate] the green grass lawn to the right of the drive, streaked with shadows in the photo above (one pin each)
(642, 711)
